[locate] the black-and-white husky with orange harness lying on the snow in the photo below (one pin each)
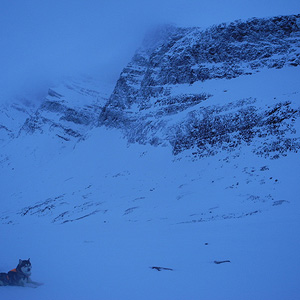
(20, 276)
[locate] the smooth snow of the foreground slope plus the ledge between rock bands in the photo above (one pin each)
(96, 217)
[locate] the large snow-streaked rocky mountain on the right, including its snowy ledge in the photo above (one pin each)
(164, 96)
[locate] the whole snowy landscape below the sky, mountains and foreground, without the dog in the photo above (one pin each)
(189, 163)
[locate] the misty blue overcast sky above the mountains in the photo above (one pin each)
(43, 40)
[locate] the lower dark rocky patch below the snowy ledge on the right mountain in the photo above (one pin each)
(208, 131)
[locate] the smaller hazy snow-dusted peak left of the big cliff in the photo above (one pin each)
(68, 111)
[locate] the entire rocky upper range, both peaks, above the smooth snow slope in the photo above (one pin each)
(196, 90)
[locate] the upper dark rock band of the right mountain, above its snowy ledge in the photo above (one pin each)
(187, 55)
